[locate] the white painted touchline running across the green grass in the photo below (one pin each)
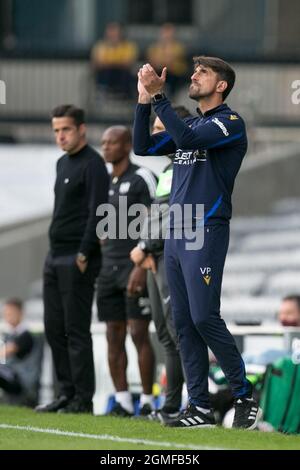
(107, 437)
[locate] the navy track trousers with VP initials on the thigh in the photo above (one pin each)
(195, 279)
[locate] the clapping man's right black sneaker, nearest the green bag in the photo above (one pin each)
(247, 413)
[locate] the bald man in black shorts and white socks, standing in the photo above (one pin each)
(122, 301)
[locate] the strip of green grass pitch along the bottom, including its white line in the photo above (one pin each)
(23, 429)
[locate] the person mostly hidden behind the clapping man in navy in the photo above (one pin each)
(149, 255)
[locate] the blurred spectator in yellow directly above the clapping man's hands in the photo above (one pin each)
(169, 52)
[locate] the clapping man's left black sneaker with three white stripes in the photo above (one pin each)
(192, 418)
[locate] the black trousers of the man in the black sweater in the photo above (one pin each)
(68, 296)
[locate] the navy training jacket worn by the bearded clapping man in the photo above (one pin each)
(208, 149)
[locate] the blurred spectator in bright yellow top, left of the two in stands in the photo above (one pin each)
(112, 60)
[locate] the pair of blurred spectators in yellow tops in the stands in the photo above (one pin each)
(114, 60)
